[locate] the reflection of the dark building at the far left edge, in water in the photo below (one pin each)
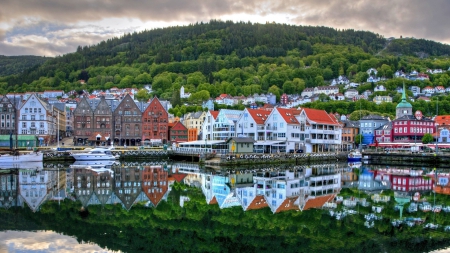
(9, 191)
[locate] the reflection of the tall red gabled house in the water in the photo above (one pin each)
(154, 183)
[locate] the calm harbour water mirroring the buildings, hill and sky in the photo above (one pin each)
(160, 207)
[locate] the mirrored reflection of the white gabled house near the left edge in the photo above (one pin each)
(35, 187)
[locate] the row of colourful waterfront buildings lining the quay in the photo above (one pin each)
(98, 120)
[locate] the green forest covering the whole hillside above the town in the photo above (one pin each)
(239, 59)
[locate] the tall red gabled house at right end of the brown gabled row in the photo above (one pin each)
(154, 123)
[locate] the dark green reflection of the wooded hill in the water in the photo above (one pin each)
(202, 227)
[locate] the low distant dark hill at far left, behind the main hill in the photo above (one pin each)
(10, 65)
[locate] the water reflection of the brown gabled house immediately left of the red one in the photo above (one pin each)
(127, 185)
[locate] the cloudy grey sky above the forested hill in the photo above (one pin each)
(56, 27)
